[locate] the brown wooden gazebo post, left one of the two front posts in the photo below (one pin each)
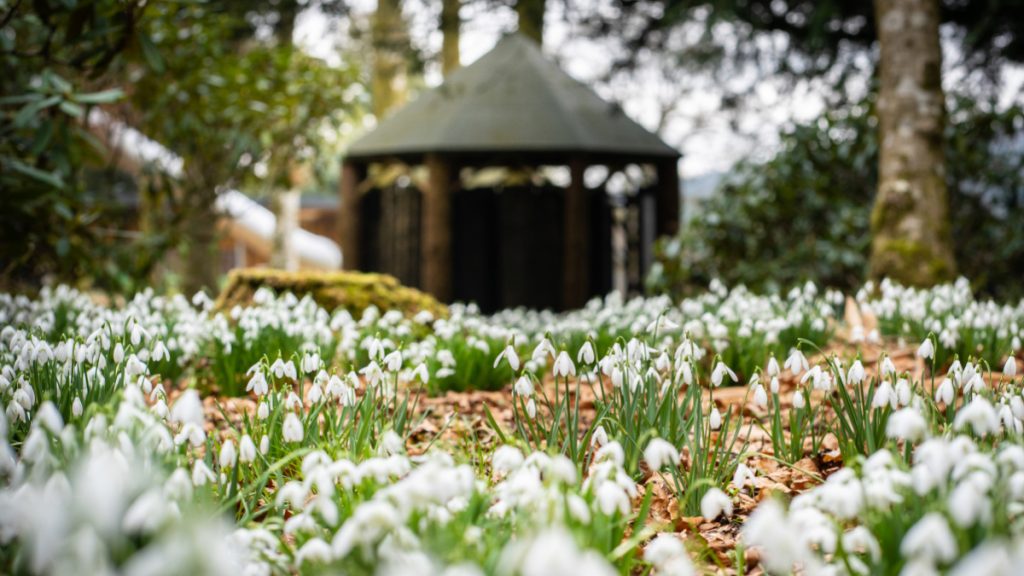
(437, 249)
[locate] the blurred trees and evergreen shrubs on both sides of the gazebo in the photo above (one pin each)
(224, 87)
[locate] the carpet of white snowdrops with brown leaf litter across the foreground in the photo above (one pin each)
(880, 433)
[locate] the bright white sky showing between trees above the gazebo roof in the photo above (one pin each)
(710, 139)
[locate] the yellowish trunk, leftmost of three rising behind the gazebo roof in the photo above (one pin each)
(391, 48)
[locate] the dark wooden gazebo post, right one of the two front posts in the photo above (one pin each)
(576, 263)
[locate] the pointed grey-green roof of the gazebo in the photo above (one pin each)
(513, 100)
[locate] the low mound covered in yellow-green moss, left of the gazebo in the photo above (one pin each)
(351, 291)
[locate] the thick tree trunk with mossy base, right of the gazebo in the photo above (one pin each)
(911, 221)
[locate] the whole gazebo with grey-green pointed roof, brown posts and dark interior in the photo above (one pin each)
(518, 240)
